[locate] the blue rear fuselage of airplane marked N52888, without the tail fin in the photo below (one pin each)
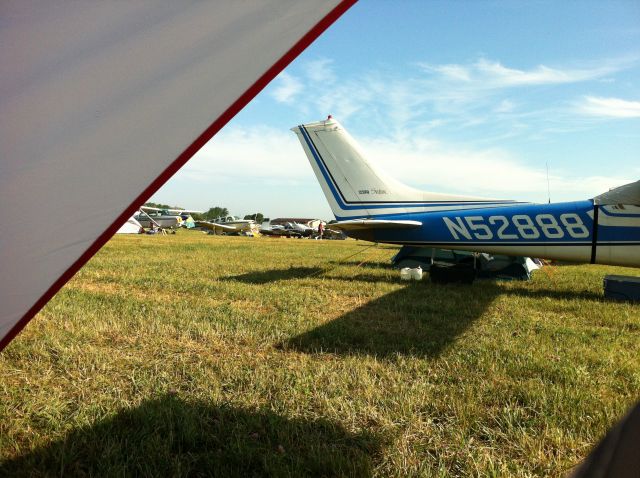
(573, 231)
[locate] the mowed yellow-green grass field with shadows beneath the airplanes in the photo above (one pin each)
(194, 355)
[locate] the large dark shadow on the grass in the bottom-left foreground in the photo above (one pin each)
(171, 437)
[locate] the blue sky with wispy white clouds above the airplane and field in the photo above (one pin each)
(462, 97)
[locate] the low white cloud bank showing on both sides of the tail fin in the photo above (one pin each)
(266, 156)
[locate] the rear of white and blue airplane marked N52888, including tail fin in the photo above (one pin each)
(372, 206)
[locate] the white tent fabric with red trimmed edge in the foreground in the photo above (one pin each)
(103, 101)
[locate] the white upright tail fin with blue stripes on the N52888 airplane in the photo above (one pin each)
(355, 188)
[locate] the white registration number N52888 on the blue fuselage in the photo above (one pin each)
(517, 227)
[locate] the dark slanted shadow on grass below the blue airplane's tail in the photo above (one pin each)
(419, 319)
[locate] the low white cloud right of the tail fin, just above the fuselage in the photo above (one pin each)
(440, 167)
